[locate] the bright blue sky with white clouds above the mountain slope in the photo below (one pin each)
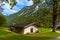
(20, 4)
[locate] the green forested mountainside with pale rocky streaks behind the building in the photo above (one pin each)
(39, 13)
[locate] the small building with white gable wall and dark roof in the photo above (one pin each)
(26, 28)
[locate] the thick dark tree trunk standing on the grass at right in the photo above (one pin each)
(55, 4)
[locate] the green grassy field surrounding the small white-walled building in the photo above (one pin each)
(44, 34)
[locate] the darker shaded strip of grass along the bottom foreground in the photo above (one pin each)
(21, 37)
